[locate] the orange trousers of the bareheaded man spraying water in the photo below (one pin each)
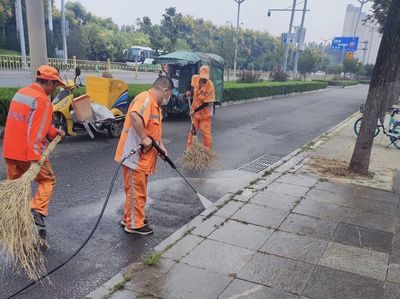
(135, 185)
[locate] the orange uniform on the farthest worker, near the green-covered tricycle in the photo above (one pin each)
(202, 118)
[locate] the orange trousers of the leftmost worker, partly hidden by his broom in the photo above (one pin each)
(46, 180)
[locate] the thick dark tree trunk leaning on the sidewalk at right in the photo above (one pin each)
(382, 88)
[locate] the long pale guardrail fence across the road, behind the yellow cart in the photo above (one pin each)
(17, 63)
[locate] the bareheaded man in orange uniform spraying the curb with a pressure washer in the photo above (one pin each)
(143, 120)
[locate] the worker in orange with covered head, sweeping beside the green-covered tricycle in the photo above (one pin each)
(201, 110)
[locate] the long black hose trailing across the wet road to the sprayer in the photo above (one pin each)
(91, 233)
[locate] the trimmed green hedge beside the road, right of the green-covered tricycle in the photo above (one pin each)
(237, 92)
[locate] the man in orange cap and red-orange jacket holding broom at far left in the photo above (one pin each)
(29, 123)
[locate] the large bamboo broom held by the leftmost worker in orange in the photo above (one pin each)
(18, 233)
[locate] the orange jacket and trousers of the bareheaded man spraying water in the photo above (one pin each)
(138, 167)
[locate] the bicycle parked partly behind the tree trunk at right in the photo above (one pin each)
(394, 126)
